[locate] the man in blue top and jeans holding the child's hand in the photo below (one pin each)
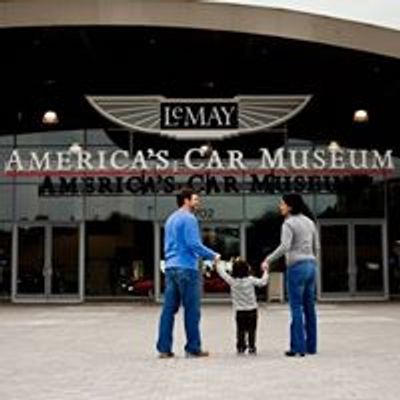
(182, 249)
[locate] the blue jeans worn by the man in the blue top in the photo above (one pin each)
(182, 286)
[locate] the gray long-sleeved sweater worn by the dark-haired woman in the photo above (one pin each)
(299, 240)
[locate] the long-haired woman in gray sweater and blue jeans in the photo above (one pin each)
(300, 246)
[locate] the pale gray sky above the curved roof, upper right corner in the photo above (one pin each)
(377, 12)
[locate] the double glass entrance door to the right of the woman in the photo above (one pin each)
(353, 261)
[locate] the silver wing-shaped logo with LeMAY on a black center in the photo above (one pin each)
(199, 118)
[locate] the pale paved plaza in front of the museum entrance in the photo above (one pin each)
(106, 351)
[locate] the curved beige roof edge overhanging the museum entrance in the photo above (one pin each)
(195, 14)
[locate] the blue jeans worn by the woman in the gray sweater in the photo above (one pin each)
(301, 282)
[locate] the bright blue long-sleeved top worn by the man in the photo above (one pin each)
(182, 242)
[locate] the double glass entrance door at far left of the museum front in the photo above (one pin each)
(47, 262)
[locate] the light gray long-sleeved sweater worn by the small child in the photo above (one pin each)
(242, 289)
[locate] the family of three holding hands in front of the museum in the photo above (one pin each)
(183, 247)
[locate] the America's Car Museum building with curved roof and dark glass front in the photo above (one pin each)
(109, 109)
